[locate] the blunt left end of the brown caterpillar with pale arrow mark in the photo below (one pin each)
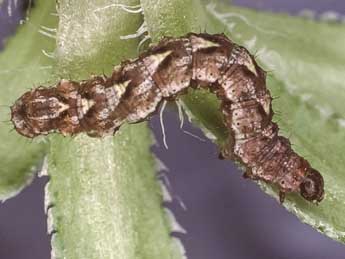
(38, 111)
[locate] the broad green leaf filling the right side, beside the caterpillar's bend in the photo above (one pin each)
(308, 77)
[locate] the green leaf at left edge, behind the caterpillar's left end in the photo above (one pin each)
(22, 66)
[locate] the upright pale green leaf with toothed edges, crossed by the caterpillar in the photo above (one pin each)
(103, 198)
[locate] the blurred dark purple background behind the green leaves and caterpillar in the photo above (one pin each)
(227, 216)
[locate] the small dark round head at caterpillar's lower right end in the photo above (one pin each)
(311, 187)
